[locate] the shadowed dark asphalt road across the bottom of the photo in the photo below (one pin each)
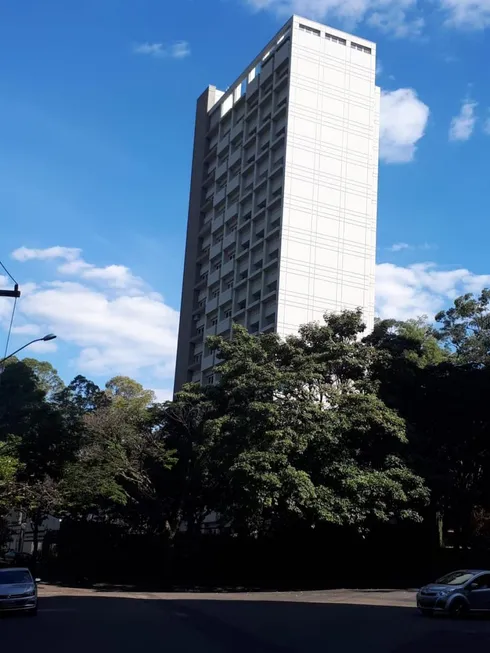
(330, 621)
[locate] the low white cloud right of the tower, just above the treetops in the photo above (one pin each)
(421, 289)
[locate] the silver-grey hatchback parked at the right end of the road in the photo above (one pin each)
(457, 593)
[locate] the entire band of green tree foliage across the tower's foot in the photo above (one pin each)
(325, 428)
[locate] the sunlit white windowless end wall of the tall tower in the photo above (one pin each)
(330, 197)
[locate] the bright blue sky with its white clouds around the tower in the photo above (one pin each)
(96, 122)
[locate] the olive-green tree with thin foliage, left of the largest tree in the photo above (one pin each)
(113, 472)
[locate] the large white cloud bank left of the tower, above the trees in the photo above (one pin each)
(119, 324)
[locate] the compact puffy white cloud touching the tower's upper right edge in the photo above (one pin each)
(403, 120)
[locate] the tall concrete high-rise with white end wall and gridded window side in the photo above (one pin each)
(282, 215)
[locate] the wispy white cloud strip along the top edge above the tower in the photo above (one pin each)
(400, 18)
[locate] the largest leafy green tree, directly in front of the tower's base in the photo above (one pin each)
(301, 434)
